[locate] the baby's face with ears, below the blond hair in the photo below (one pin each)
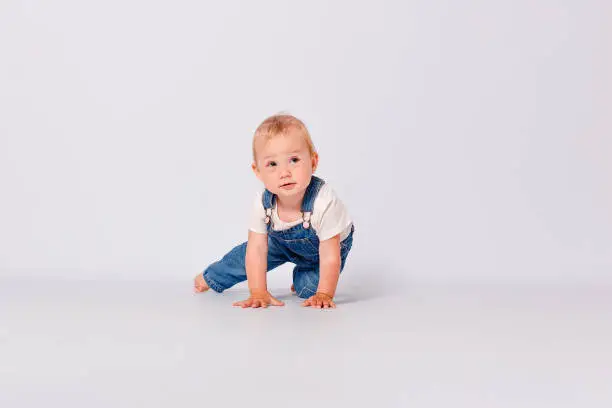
(284, 164)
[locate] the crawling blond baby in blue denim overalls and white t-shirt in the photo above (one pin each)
(297, 218)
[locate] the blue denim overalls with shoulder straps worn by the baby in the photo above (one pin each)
(298, 245)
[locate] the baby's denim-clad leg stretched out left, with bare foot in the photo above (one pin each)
(231, 269)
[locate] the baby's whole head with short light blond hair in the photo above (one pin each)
(284, 156)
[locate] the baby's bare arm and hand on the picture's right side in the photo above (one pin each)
(329, 273)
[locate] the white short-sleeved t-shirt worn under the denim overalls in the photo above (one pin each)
(329, 216)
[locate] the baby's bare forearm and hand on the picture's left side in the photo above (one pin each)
(256, 267)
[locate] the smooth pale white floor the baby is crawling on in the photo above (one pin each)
(148, 344)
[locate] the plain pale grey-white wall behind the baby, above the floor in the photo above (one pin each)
(470, 140)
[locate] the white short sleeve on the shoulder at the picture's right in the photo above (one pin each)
(332, 218)
